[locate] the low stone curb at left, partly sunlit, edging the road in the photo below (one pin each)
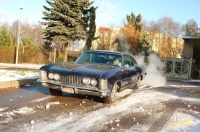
(17, 83)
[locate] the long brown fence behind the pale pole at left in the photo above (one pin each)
(33, 55)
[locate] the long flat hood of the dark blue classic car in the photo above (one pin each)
(84, 69)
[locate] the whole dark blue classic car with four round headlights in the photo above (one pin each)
(99, 73)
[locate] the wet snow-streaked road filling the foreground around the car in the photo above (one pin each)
(32, 108)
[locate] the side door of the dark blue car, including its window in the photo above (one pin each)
(129, 67)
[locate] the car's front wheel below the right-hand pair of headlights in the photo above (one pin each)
(112, 97)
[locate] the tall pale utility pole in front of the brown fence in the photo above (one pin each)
(18, 35)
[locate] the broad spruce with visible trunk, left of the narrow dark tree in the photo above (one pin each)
(64, 21)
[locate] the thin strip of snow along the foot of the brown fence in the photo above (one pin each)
(28, 66)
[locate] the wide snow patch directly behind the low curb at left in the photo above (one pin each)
(11, 75)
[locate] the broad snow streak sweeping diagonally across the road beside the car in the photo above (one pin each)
(86, 121)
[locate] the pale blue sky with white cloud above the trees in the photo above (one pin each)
(110, 13)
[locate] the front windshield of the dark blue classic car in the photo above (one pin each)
(100, 58)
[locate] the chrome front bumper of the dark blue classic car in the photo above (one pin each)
(85, 90)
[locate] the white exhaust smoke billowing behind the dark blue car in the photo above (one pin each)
(154, 67)
